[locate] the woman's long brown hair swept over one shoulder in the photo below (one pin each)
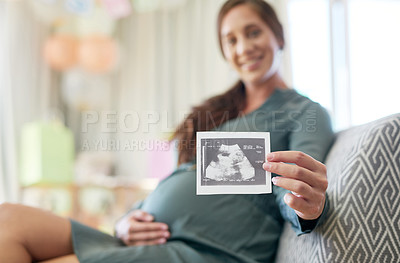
(219, 109)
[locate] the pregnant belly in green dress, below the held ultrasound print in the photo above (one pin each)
(234, 222)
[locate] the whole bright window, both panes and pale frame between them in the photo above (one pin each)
(345, 56)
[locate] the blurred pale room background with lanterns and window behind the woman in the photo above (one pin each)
(91, 90)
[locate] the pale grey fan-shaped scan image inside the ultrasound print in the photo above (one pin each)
(231, 164)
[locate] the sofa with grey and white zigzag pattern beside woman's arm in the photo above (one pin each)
(363, 222)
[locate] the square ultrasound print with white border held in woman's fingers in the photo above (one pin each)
(231, 162)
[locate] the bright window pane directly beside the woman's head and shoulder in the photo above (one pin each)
(310, 49)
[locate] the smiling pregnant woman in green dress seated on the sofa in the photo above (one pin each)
(174, 224)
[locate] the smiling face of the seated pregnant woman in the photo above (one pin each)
(249, 45)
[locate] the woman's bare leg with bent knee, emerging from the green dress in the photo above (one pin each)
(28, 234)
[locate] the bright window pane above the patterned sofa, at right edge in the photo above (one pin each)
(374, 42)
